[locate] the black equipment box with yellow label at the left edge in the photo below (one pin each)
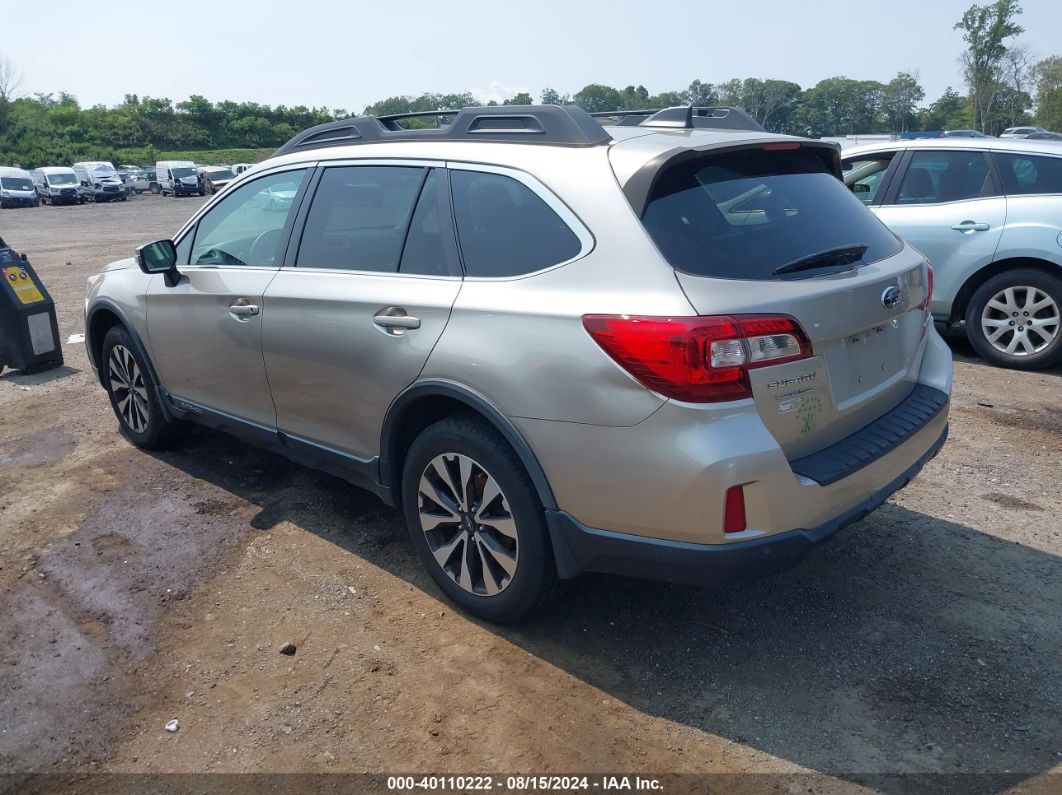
(29, 334)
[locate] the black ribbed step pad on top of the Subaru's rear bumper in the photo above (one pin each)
(871, 443)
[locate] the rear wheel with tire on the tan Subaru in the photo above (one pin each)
(476, 521)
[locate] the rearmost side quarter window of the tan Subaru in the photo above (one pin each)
(506, 230)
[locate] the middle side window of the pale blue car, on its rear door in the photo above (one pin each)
(934, 178)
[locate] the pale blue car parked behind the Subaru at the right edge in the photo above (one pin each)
(988, 214)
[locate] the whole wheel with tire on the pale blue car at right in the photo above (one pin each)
(1014, 320)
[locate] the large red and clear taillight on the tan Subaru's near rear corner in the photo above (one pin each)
(698, 360)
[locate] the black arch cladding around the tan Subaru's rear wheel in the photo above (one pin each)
(429, 403)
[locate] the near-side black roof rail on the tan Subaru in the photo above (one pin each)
(568, 127)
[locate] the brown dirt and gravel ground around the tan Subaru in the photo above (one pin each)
(139, 589)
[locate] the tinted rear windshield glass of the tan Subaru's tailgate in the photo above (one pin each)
(745, 215)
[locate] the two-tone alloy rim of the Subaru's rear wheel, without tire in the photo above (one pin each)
(468, 525)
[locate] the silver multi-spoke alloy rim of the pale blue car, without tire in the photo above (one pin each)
(1021, 321)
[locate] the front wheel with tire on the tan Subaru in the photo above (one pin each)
(133, 395)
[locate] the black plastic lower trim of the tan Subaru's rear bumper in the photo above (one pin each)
(580, 549)
